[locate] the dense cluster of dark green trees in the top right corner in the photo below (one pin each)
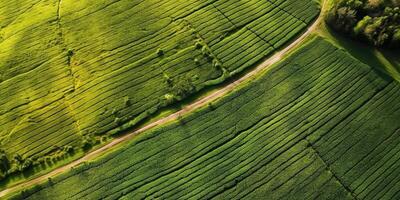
(374, 21)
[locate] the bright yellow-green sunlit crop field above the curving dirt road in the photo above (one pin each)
(73, 71)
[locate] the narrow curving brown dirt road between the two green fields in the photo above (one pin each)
(187, 109)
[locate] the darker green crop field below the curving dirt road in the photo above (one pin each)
(318, 125)
